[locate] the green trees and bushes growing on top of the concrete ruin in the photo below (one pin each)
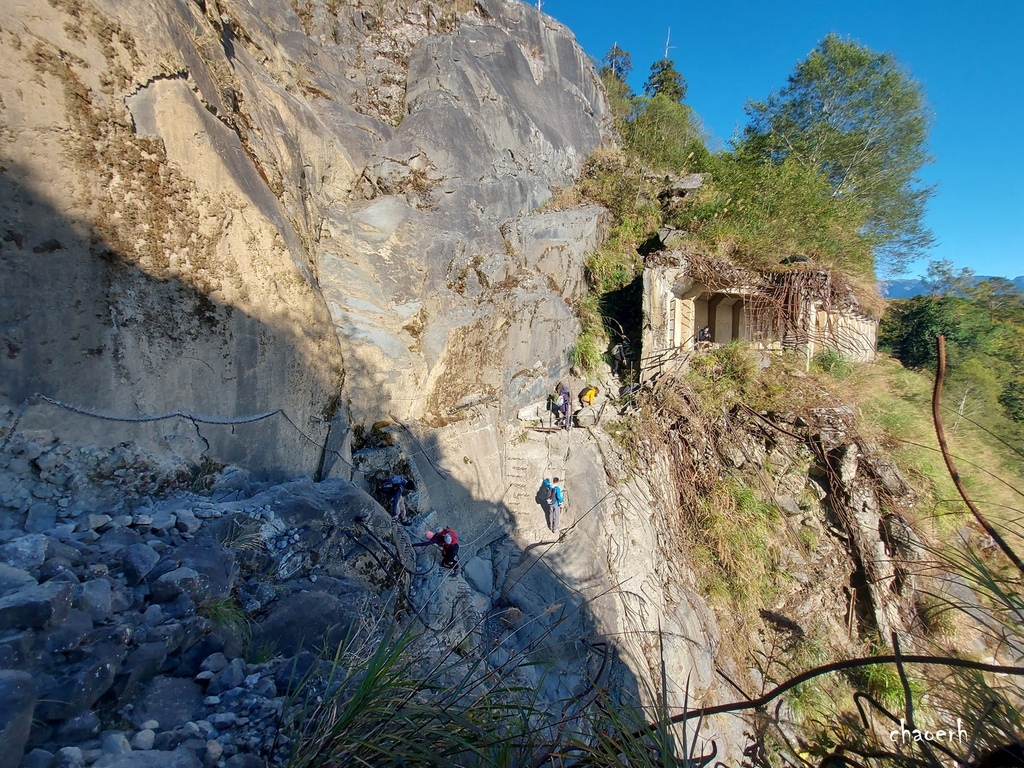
(828, 168)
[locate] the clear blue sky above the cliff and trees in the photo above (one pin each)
(967, 56)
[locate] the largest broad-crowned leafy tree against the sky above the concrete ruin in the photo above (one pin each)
(863, 121)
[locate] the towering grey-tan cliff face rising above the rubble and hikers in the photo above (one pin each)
(268, 217)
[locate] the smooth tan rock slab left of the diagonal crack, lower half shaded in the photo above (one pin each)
(148, 268)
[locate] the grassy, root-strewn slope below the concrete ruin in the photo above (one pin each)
(739, 434)
